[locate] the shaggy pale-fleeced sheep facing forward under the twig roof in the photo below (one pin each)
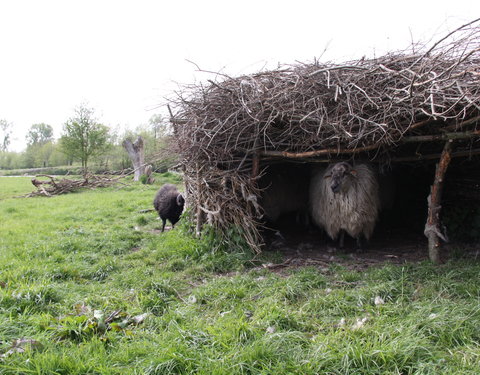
(345, 199)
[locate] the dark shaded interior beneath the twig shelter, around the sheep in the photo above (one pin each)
(399, 225)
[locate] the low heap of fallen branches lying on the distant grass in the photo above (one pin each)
(56, 186)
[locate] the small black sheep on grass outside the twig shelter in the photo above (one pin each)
(169, 204)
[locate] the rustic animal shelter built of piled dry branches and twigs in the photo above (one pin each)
(404, 109)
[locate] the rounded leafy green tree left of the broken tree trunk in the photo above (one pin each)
(83, 137)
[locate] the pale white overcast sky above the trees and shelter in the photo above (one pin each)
(124, 57)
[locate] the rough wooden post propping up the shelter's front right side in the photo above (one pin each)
(432, 228)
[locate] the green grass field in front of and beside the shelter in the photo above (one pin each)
(89, 286)
